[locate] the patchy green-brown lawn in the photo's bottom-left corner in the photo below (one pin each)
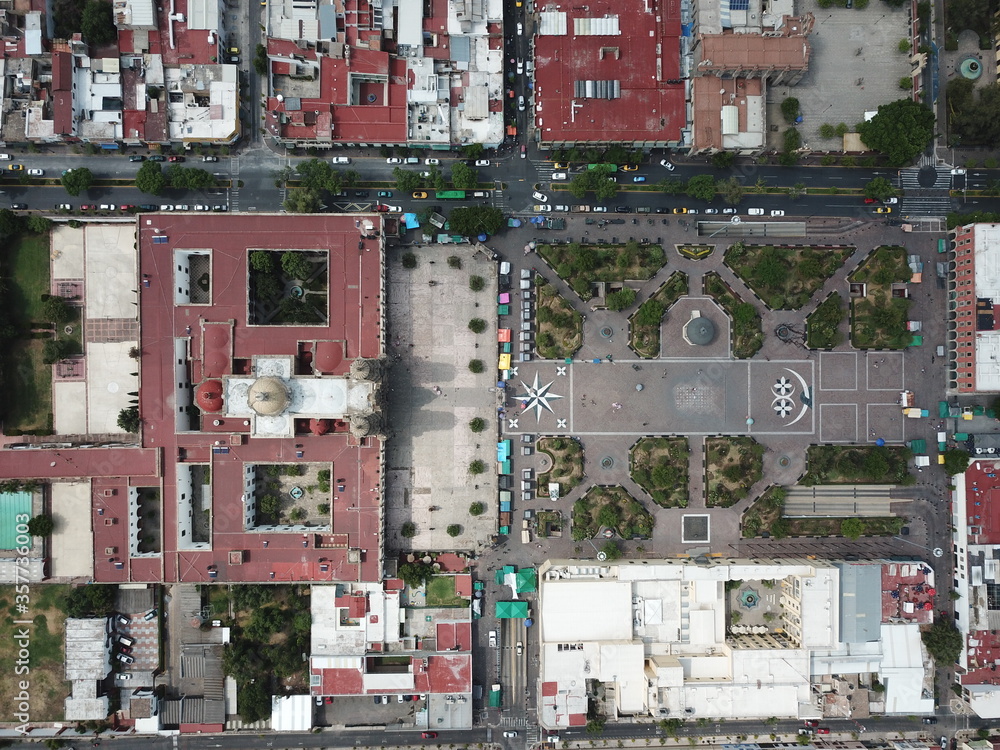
(48, 689)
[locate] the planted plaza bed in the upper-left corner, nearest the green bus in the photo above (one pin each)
(582, 265)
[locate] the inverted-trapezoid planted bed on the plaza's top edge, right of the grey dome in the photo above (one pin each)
(785, 278)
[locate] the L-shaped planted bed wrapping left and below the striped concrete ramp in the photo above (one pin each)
(766, 517)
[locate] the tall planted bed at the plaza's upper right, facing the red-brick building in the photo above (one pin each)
(879, 305)
